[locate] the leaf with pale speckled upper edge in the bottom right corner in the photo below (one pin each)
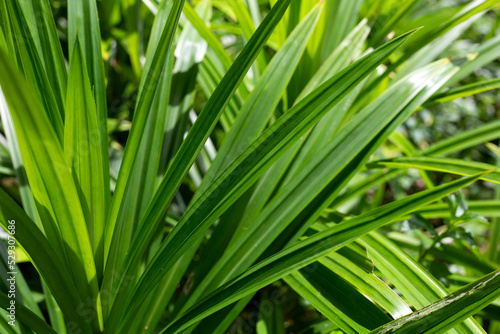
(443, 314)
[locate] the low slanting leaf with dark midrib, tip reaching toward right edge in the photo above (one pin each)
(305, 252)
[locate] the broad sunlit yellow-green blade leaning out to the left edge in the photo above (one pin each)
(52, 182)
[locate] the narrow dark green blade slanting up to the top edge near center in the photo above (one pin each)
(195, 139)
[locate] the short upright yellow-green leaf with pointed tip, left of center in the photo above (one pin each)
(82, 150)
